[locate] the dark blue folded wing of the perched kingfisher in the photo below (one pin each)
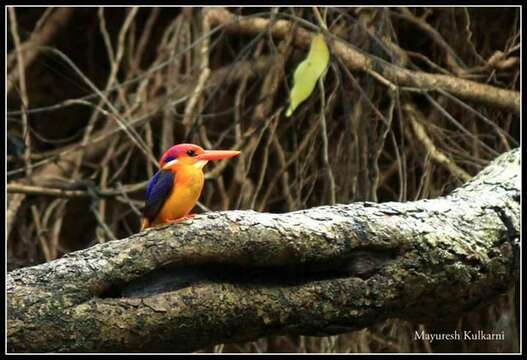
(157, 191)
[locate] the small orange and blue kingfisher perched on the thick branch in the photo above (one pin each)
(174, 190)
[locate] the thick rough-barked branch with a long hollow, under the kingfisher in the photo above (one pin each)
(238, 275)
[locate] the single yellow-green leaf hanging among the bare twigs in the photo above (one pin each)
(307, 72)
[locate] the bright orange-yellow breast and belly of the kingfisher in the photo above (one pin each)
(187, 188)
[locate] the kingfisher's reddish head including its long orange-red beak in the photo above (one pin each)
(190, 154)
